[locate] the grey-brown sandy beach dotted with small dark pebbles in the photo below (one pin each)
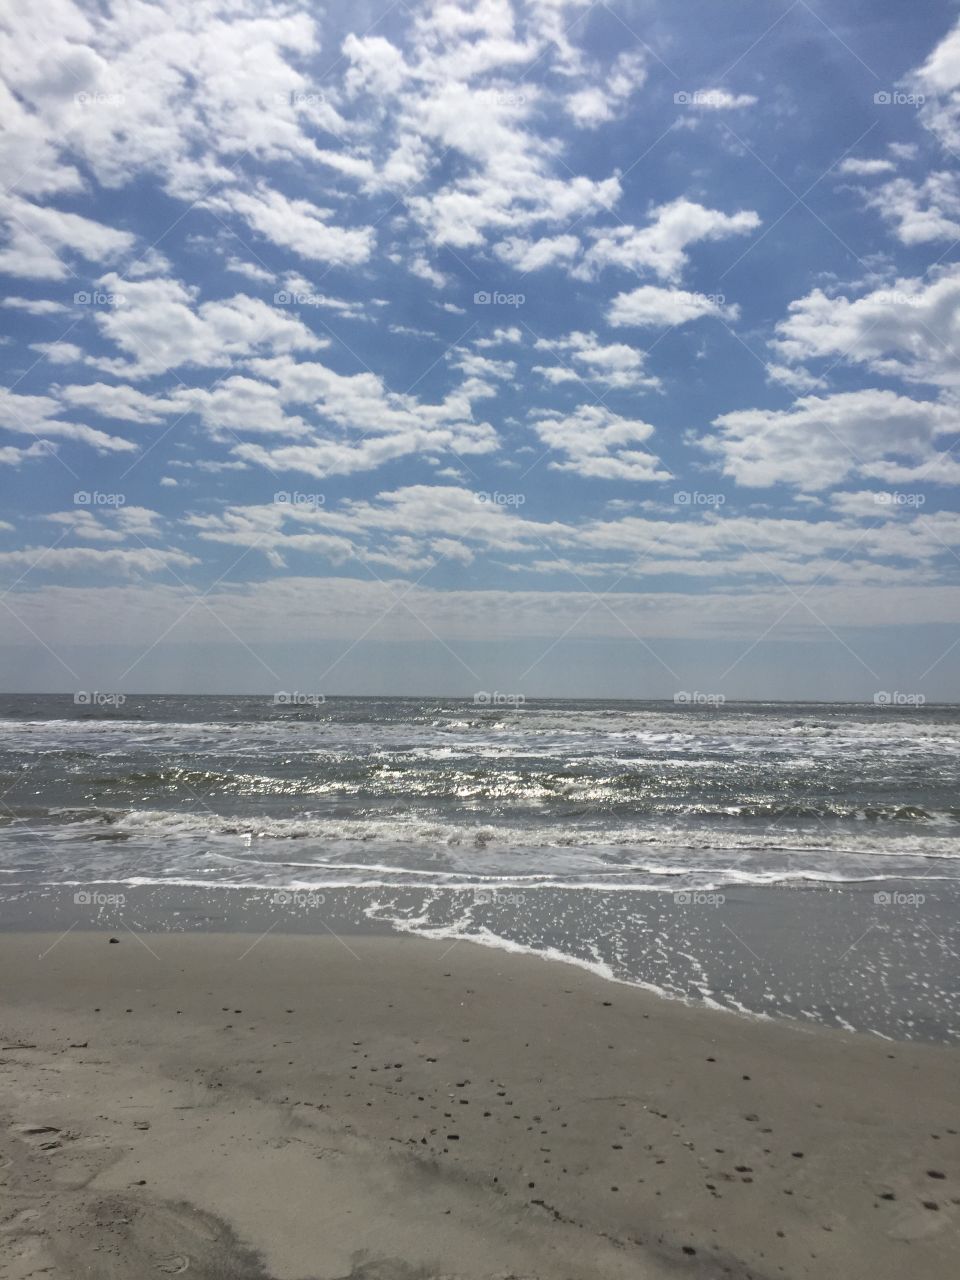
(395, 1110)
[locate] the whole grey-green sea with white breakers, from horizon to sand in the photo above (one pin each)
(725, 853)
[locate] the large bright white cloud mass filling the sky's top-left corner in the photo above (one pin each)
(176, 90)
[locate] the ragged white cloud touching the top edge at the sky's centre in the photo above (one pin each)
(452, 93)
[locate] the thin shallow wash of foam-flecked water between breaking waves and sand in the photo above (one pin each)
(806, 956)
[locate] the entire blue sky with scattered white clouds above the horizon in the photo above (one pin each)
(540, 349)
